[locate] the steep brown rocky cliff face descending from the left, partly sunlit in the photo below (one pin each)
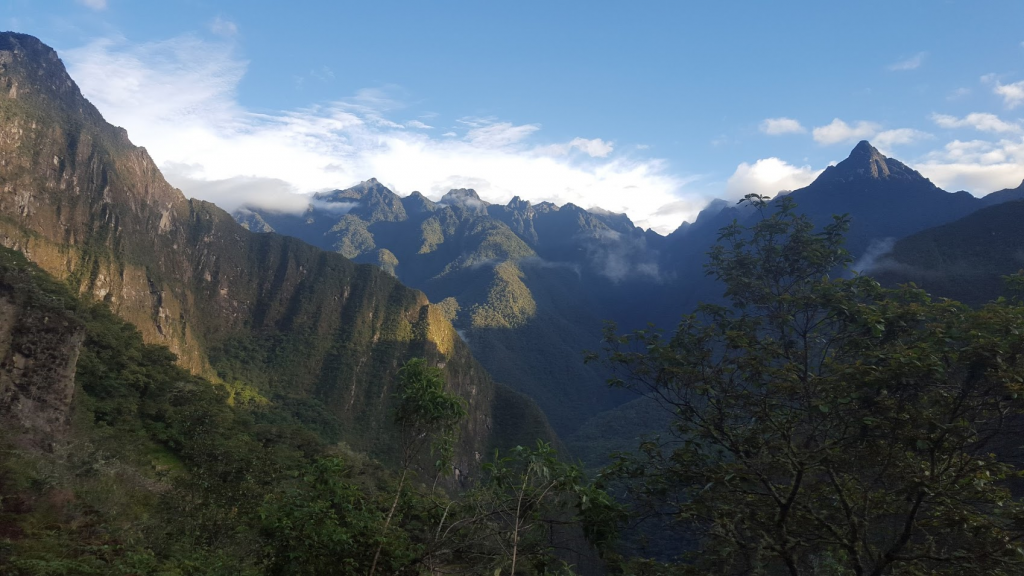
(87, 205)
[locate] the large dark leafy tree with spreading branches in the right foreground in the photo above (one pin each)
(825, 425)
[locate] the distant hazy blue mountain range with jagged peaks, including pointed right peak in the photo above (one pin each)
(523, 281)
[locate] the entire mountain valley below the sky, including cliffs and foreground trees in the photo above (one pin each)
(379, 384)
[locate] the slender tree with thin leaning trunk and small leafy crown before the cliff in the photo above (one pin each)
(428, 418)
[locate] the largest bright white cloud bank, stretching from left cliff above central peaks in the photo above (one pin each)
(178, 98)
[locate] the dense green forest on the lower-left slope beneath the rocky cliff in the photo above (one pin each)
(160, 474)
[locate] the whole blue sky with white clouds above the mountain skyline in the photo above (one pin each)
(649, 108)
